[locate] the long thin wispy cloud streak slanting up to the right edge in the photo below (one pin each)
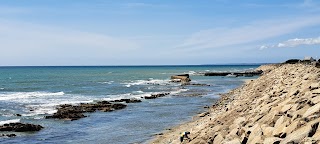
(252, 32)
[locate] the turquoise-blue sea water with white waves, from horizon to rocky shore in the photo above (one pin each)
(34, 92)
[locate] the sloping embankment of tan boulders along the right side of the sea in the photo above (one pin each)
(281, 106)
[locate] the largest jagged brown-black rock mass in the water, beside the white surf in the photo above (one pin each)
(75, 112)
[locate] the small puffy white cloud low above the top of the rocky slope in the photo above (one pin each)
(294, 43)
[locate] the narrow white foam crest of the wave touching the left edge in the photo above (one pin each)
(26, 95)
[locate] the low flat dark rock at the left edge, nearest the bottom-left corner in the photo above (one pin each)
(20, 127)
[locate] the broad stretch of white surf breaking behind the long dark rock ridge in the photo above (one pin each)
(36, 104)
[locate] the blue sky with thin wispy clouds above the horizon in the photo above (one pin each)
(157, 32)
